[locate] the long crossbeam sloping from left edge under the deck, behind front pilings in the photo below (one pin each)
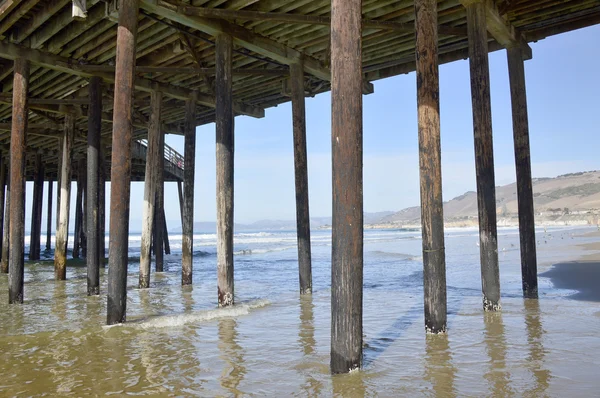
(68, 65)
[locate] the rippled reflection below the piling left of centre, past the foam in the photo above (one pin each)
(233, 354)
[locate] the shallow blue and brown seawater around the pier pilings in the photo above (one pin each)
(273, 342)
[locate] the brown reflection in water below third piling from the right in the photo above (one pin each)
(439, 369)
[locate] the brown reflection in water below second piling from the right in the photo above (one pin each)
(497, 376)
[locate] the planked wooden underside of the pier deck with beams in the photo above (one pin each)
(176, 55)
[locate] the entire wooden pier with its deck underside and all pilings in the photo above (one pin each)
(89, 89)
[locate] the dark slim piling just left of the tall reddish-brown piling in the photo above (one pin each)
(93, 159)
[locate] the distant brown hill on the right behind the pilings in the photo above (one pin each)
(567, 199)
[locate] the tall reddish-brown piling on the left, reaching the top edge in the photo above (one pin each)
(121, 161)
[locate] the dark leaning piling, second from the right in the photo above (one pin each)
(484, 155)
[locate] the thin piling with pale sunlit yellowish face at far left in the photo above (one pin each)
(64, 199)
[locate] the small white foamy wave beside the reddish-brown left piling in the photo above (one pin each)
(169, 321)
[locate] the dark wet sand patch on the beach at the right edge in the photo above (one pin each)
(582, 275)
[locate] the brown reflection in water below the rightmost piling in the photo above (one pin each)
(536, 357)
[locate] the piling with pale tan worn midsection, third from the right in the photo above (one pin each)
(430, 166)
